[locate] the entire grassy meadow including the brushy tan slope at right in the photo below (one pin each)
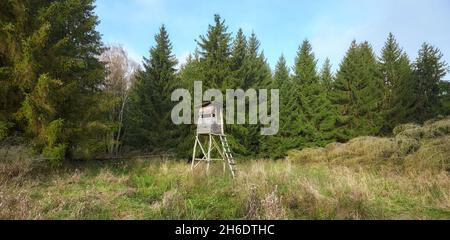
(402, 177)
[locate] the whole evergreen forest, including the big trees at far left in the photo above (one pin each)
(73, 97)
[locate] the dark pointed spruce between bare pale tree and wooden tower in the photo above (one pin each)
(150, 125)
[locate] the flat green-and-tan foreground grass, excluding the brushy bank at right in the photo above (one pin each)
(265, 190)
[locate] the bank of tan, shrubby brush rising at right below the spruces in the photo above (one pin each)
(418, 147)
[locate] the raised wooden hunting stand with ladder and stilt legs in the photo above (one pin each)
(210, 131)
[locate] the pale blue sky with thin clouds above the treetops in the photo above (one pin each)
(280, 25)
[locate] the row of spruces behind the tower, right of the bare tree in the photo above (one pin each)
(369, 94)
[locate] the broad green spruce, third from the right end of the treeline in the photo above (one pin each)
(358, 93)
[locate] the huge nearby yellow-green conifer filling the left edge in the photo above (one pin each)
(50, 54)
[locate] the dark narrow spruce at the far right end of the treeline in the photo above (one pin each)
(429, 69)
